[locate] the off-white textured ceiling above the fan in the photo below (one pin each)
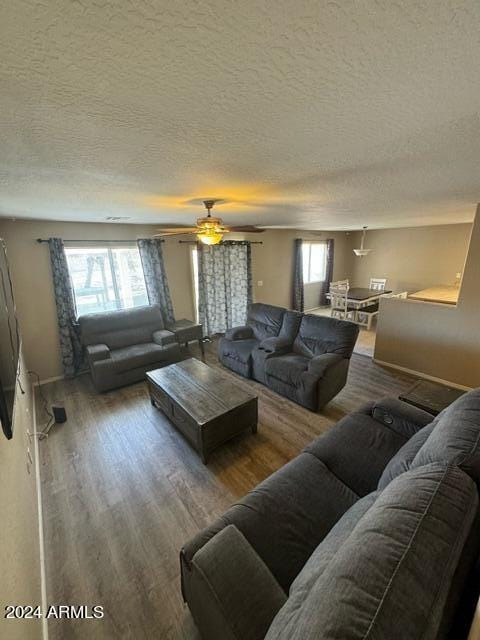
(308, 114)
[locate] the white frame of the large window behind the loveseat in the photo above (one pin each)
(109, 247)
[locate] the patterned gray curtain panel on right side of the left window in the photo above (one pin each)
(155, 276)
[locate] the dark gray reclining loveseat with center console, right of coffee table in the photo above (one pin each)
(303, 357)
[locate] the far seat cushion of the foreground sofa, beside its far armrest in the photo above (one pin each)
(357, 449)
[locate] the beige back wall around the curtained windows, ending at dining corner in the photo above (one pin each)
(272, 262)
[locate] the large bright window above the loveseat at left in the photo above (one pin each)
(106, 278)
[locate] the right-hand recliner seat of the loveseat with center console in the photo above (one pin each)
(315, 367)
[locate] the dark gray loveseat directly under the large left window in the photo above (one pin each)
(122, 345)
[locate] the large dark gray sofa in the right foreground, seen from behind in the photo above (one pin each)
(372, 532)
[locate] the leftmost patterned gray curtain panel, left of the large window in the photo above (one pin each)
(70, 345)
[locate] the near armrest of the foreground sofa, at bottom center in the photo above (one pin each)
(231, 592)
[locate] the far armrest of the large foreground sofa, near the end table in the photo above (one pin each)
(400, 416)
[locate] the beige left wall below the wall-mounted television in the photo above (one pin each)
(19, 539)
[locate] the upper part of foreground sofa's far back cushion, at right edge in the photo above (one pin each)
(455, 437)
